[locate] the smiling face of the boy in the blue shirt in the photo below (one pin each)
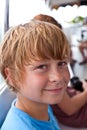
(45, 81)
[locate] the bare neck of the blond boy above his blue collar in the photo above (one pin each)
(36, 110)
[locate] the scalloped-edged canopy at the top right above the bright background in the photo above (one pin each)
(56, 3)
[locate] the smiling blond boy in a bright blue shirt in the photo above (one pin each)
(33, 61)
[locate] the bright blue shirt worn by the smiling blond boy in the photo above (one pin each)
(19, 120)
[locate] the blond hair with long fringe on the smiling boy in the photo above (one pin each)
(32, 41)
